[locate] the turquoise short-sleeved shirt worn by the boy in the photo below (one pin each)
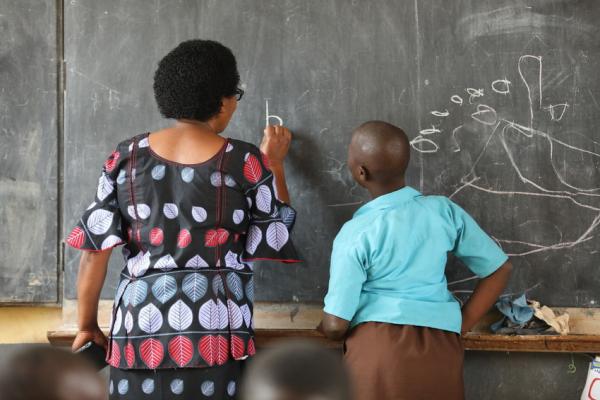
(388, 261)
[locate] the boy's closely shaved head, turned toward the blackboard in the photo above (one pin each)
(378, 156)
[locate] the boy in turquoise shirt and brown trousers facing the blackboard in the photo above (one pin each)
(387, 279)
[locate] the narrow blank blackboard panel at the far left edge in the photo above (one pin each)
(28, 152)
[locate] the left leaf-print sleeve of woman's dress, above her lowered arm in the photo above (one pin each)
(100, 226)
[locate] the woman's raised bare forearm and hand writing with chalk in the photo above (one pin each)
(275, 145)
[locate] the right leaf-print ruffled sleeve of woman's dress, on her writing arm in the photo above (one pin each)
(271, 221)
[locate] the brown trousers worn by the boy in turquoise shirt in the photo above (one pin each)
(404, 362)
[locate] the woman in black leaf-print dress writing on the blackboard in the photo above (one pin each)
(193, 210)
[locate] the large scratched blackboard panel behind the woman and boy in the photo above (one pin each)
(500, 100)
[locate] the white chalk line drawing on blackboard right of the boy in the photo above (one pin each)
(530, 68)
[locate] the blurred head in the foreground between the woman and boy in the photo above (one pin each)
(296, 371)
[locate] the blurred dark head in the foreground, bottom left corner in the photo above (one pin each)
(44, 373)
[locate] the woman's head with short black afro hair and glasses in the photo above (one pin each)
(198, 81)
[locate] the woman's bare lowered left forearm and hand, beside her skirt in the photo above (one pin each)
(92, 272)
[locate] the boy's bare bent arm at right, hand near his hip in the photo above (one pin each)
(484, 296)
